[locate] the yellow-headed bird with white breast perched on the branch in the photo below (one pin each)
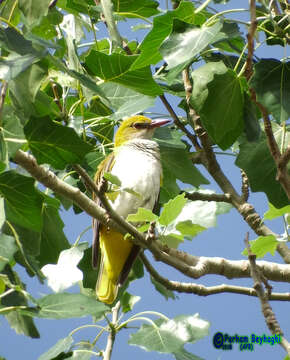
(135, 160)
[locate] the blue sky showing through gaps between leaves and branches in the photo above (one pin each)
(227, 313)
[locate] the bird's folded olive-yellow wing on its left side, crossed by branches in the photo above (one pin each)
(105, 166)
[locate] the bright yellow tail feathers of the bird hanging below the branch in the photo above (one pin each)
(115, 251)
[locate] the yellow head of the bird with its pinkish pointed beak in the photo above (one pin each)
(137, 127)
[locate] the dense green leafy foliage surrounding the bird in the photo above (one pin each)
(69, 86)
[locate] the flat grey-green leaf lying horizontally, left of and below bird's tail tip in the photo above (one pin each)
(66, 305)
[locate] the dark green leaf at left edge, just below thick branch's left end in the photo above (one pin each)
(23, 203)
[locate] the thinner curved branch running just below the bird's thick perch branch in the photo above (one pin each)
(201, 290)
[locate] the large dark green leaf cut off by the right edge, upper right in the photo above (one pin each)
(271, 81)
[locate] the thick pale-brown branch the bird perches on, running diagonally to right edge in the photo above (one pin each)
(191, 266)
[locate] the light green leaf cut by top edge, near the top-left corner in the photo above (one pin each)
(33, 10)
